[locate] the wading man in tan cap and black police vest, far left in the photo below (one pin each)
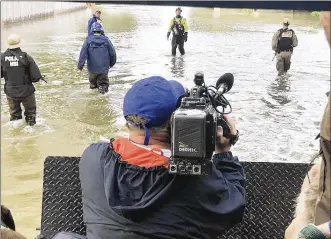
(20, 71)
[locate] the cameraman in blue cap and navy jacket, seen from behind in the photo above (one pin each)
(126, 188)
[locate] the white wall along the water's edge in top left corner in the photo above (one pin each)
(18, 10)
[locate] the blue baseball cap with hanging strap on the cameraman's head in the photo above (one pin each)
(154, 99)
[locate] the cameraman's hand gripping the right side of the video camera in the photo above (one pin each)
(223, 144)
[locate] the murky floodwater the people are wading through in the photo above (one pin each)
(278, 118)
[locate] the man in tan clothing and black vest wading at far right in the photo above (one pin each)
(283, 42)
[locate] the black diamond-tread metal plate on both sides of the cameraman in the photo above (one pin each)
(271, 191)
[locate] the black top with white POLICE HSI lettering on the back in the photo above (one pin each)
(19, 74)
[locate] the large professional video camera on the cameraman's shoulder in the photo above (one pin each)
(194, 126)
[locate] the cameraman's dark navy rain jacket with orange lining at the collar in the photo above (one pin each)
(122, 200)
